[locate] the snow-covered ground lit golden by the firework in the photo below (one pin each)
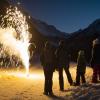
(15, 85)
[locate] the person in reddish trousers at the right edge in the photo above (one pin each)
(95, 61)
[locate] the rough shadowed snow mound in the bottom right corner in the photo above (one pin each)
(85, 92)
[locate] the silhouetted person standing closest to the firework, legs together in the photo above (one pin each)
(48, 67)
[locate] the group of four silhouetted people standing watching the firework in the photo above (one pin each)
(59, 60)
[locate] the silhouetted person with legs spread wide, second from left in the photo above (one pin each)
(63, 59)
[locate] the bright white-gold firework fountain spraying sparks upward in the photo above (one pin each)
(14, 35)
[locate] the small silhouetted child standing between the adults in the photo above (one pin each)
(81, 68)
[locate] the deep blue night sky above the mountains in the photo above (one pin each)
(66, 15)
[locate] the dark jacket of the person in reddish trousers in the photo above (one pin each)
(95, 55)
